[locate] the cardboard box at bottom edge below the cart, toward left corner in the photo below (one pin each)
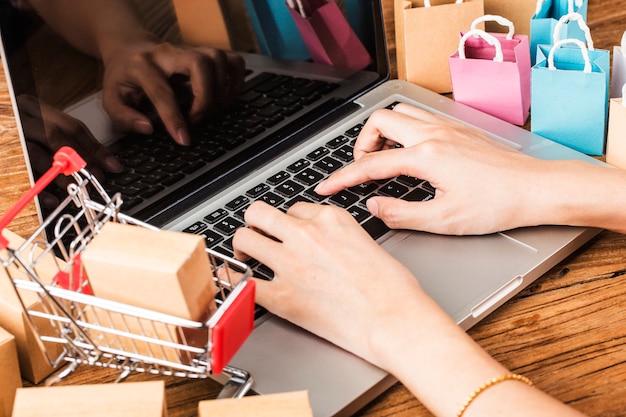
(127, 399)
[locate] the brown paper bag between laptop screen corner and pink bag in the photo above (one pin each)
(427, 35)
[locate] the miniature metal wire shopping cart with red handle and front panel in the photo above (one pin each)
(76, 326)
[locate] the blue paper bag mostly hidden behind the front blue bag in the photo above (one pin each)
(547, 15)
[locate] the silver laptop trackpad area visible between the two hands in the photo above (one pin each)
(462, 272)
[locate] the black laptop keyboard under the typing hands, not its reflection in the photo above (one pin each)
(295, 182)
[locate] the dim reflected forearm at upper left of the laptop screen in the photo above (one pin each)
(95, 27)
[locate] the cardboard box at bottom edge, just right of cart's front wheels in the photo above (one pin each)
(288, 404)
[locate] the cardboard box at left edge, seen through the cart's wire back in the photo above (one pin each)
(34, 365)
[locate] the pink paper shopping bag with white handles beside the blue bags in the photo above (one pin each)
(491, 72)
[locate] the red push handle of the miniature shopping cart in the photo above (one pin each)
(66, 161)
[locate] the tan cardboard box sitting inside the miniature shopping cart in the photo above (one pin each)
(164, 271)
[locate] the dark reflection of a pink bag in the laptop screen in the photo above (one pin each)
(328, 35)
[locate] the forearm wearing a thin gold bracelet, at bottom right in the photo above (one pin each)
(442, 366)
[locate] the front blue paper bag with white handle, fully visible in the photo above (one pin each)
(569, 95)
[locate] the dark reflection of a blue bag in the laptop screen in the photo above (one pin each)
(276, 33)
